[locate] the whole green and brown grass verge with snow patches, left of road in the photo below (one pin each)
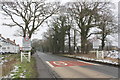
(28, 69)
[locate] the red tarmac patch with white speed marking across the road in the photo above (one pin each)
(67, 63)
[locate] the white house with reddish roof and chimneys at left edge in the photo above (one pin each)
(8, 46)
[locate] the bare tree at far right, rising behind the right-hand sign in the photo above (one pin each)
(108, 26)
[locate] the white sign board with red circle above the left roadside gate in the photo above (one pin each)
(26, 44)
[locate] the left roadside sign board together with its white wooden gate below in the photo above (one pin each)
(26, 54)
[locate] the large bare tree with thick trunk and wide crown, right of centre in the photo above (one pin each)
(86, 16)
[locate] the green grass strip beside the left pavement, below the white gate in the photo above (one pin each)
(27, 68)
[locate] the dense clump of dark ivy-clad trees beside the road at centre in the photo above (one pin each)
(57, 32)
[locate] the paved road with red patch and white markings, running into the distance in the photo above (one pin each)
(71, 68)
